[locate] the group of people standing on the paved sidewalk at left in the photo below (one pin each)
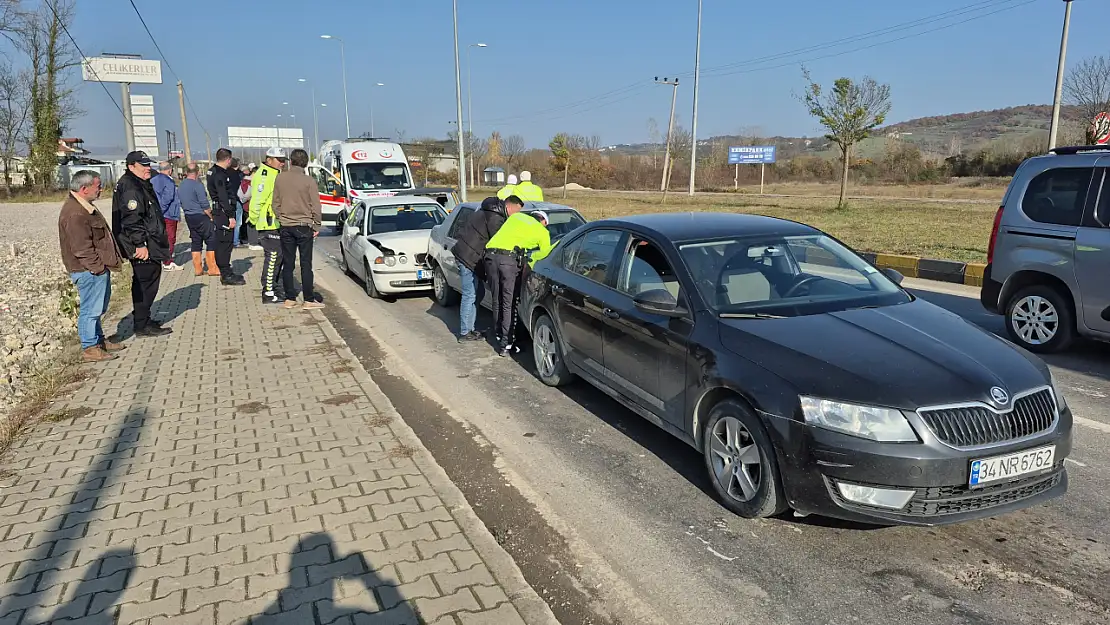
(281, 206)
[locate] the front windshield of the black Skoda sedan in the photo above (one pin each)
(786, 277)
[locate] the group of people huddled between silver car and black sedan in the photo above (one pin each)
(496, 247)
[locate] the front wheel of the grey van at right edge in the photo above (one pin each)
(1040, 319)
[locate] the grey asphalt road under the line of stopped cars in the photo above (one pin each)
(631, 535)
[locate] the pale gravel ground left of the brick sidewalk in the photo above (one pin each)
(33, 327)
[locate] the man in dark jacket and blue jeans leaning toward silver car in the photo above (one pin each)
(469, 251)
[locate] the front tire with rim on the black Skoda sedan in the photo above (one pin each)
(735, 436)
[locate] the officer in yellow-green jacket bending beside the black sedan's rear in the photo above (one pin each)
(506, 254)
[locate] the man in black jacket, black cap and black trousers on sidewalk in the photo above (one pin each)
(140, 231)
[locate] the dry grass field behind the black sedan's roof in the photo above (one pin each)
(940, 230)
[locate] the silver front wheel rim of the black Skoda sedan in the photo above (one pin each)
(738, 463)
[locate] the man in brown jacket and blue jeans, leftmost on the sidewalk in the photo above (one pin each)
(89, 254)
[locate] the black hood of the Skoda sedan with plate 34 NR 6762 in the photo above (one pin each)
(907, 357)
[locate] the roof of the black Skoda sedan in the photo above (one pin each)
(702, 226)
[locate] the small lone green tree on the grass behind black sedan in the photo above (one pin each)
(850, 112)
